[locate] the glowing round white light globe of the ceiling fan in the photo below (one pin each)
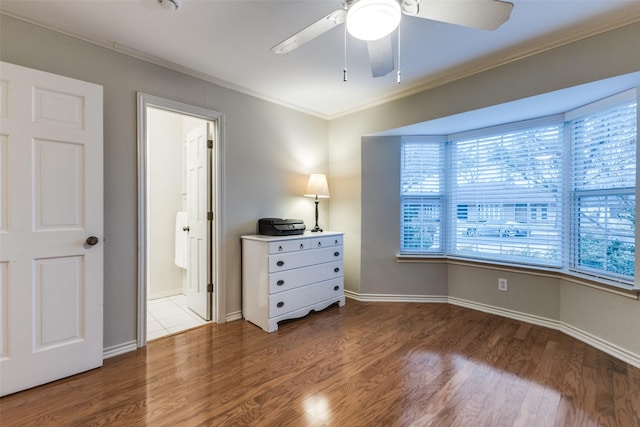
(373, 19)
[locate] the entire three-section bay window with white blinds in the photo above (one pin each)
(557, 192)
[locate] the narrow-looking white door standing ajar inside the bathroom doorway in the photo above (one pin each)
(198, 207)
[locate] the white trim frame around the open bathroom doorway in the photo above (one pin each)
(219, 291)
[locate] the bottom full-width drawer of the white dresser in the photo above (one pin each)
(284, 302)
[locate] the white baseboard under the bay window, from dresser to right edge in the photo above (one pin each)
(587, 338)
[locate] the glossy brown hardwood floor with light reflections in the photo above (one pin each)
(365, 364)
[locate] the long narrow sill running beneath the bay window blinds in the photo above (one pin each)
(580, 279)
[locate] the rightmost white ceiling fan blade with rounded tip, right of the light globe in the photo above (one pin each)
(480, 14)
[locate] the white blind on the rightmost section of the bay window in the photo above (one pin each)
(603, 190)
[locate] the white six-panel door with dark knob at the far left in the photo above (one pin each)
(51, 225)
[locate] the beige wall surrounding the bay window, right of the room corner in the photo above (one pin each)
(365, 172)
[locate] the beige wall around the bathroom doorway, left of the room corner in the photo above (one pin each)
(269, 152)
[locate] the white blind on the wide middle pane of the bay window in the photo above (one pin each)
(506, 191)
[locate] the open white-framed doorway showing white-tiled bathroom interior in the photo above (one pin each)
(179, 152)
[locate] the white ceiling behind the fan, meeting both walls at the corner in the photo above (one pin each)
(228, 42)
